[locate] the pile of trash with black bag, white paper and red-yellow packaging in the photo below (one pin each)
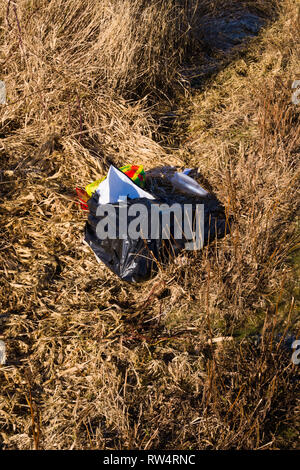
(139, 220)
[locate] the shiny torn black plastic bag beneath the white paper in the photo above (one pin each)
(136, 260)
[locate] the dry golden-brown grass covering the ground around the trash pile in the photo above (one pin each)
(94, 362)
